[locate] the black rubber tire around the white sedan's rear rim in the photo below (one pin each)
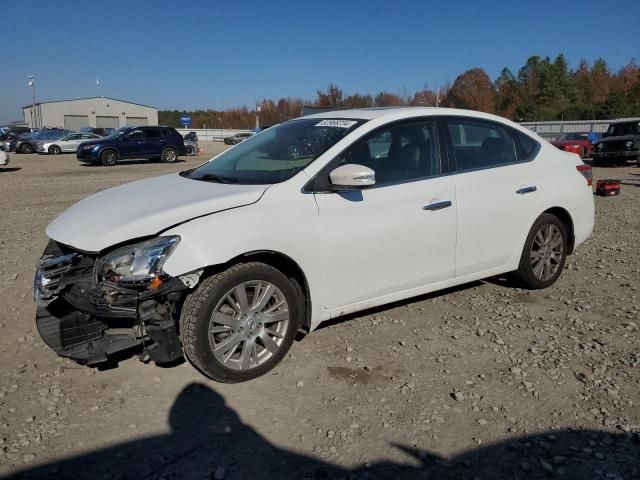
(525, 272)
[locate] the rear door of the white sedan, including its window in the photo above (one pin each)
(497, 191)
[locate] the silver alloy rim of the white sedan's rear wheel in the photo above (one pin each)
(547, 252)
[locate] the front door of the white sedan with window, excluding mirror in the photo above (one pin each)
(398, 235)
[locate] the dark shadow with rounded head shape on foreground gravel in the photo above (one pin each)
(208, 440)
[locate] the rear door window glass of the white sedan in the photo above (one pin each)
(480, 144)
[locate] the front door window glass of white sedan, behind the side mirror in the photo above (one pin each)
(398, 153)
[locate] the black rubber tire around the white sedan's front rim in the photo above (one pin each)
(198, 308)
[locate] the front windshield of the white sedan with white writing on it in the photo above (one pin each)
(276, 154)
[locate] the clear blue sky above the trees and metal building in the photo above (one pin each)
(220, 54)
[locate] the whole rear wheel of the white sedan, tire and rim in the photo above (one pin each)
(544, 254)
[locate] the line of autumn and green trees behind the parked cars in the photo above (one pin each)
(542, 89)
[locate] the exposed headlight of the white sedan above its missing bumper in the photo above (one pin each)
(138, 265)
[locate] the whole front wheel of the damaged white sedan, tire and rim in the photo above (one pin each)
(240, 323)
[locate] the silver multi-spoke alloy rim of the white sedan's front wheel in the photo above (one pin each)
(248, 325)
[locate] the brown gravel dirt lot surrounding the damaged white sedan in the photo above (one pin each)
(486, 381)
